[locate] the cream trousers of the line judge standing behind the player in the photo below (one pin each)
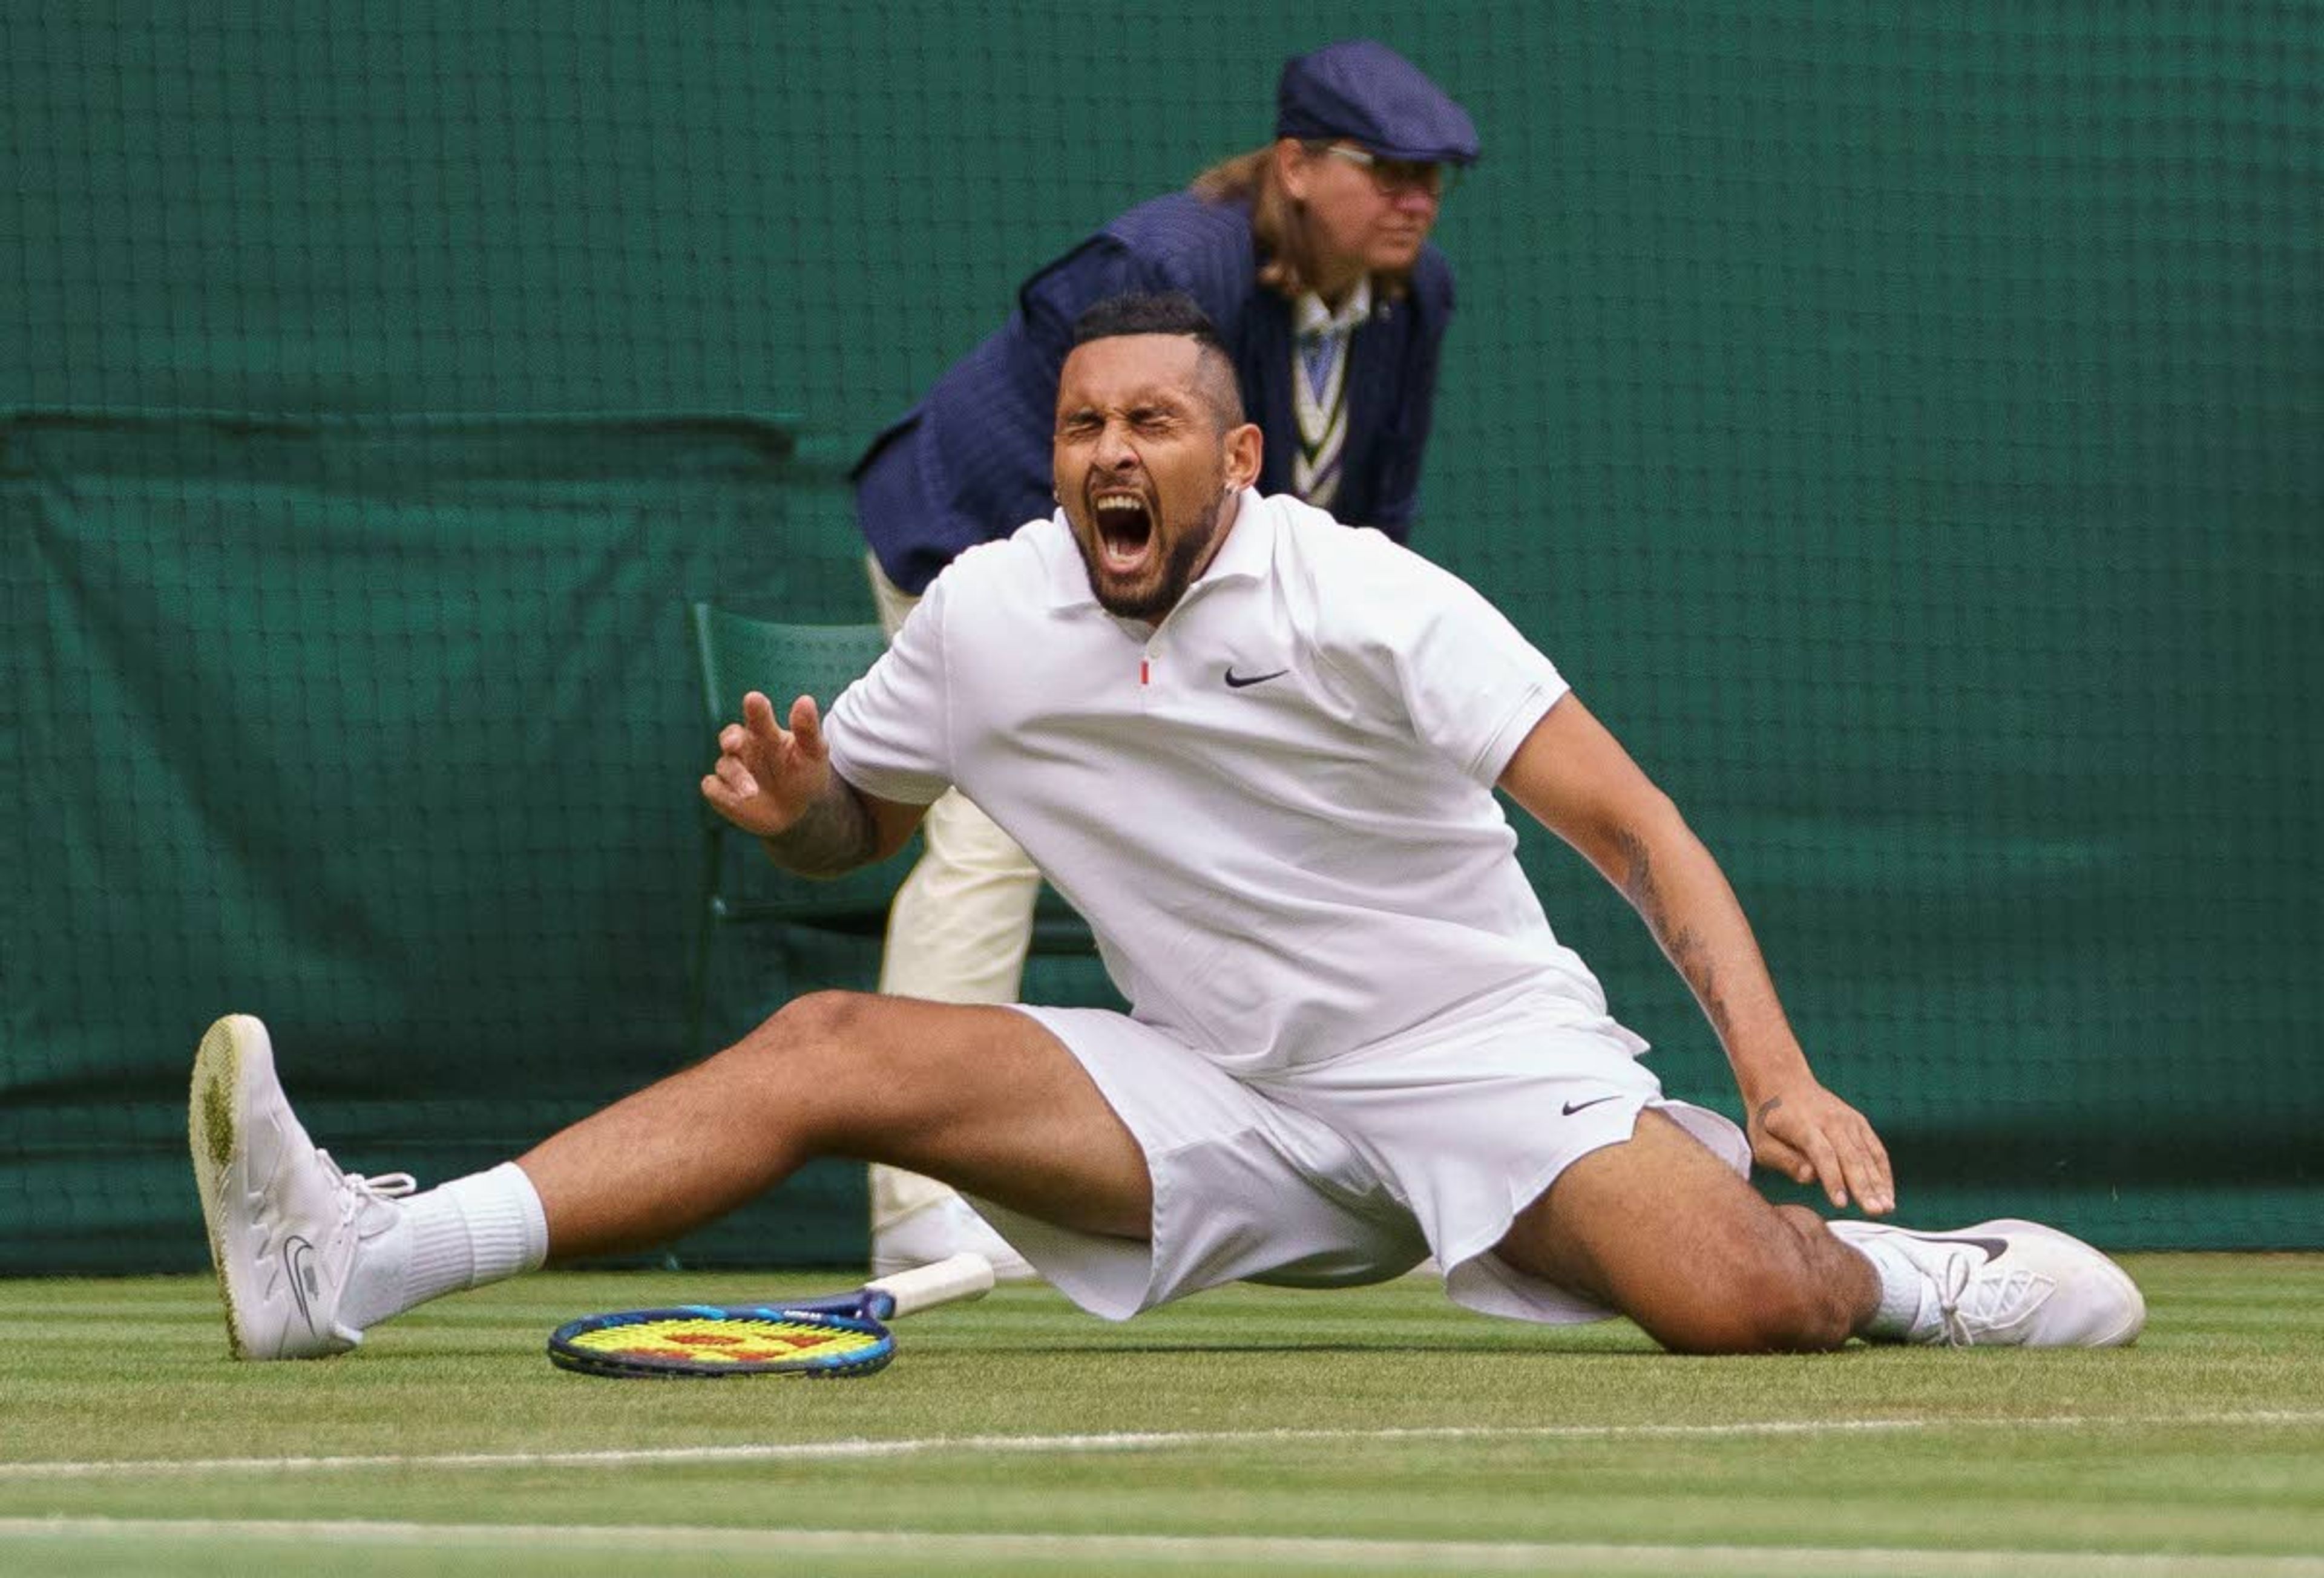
(961, 924)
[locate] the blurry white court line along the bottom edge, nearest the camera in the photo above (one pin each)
(1177, 1549)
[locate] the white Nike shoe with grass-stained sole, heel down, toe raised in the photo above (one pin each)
(285, 1224)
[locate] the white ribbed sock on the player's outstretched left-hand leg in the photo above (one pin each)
(461, 1235)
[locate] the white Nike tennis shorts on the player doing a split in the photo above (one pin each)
(1358, 1168)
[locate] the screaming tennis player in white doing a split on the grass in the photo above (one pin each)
(1261, 754)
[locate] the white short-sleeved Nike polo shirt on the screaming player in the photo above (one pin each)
(1275, 808)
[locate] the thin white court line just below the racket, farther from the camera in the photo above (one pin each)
(1128, 1442)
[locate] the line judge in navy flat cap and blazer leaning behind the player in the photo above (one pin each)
(1314, 259)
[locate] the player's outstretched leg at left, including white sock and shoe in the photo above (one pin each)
(313, 1256)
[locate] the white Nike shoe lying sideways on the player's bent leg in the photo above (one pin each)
(2011, 1284)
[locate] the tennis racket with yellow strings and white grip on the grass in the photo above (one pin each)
(842, 1335)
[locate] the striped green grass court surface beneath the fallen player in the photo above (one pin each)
(1245, 1430)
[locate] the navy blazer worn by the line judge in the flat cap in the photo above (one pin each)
(973, 461)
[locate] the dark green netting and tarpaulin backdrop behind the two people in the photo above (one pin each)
(1907, 431)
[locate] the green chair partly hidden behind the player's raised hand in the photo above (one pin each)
(738, 654)
